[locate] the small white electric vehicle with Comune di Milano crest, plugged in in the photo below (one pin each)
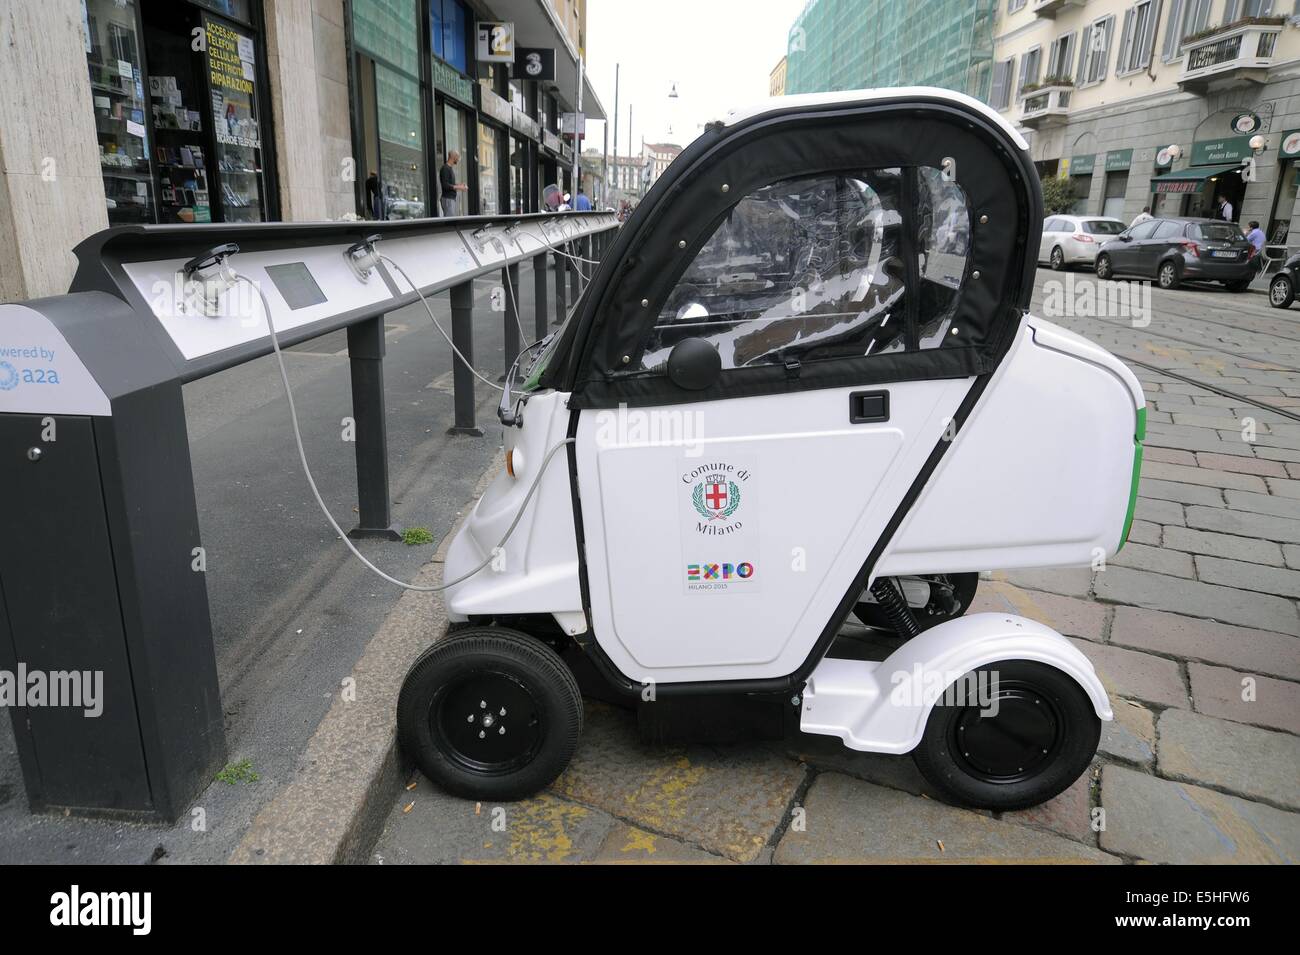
(803, 384)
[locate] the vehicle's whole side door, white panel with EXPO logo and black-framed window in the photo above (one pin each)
(733, 498)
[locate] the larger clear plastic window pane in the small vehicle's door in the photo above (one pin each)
(799, 271)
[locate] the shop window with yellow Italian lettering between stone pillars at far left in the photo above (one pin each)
(183, 125)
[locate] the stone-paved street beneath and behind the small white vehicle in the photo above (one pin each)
(1194, 628)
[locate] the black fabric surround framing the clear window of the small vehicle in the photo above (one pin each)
(729, 163)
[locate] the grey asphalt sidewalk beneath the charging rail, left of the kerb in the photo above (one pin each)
(292, 610)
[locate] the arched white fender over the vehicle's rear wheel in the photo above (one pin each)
(883, 707)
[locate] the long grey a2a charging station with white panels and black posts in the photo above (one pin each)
(103, 572)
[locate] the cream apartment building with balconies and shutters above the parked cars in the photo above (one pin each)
(1165, 103)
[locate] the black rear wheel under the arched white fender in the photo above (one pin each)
(1042, 740)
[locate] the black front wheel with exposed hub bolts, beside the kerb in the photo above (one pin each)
(491, 714)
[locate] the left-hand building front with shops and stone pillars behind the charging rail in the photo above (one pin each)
(248, 111)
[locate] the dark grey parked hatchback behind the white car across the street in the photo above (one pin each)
(1176, 250)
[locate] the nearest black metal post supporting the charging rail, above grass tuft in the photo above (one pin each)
(366, 359)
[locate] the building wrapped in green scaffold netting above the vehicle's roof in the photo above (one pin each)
(856, 45)
